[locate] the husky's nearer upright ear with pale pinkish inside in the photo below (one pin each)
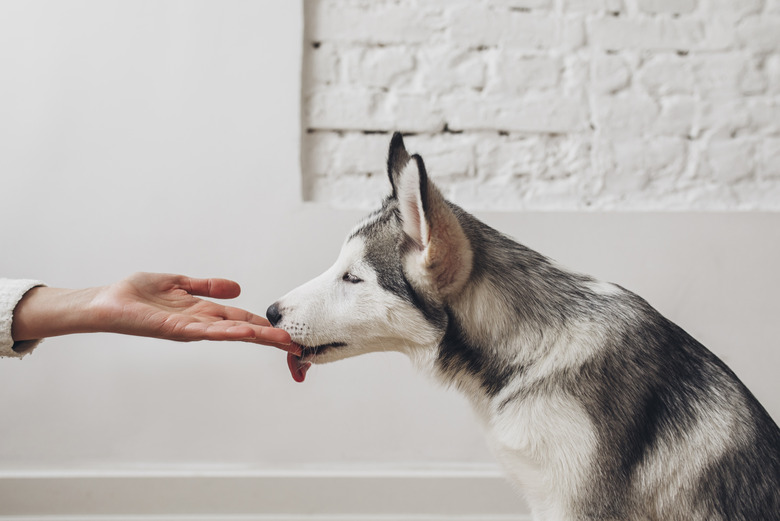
(441, 255)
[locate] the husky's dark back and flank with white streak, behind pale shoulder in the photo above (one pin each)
(679, 437)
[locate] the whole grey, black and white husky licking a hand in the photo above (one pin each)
(598, 407)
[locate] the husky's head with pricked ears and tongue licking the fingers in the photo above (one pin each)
(390, 285)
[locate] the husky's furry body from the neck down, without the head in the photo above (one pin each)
(619, 412)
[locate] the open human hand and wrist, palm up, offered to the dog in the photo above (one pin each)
(146, 304)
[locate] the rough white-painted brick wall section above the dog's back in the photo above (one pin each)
(547, 104)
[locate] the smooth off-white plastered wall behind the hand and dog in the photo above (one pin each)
(164, 136)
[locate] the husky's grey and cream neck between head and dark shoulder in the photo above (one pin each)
(517, 318)
